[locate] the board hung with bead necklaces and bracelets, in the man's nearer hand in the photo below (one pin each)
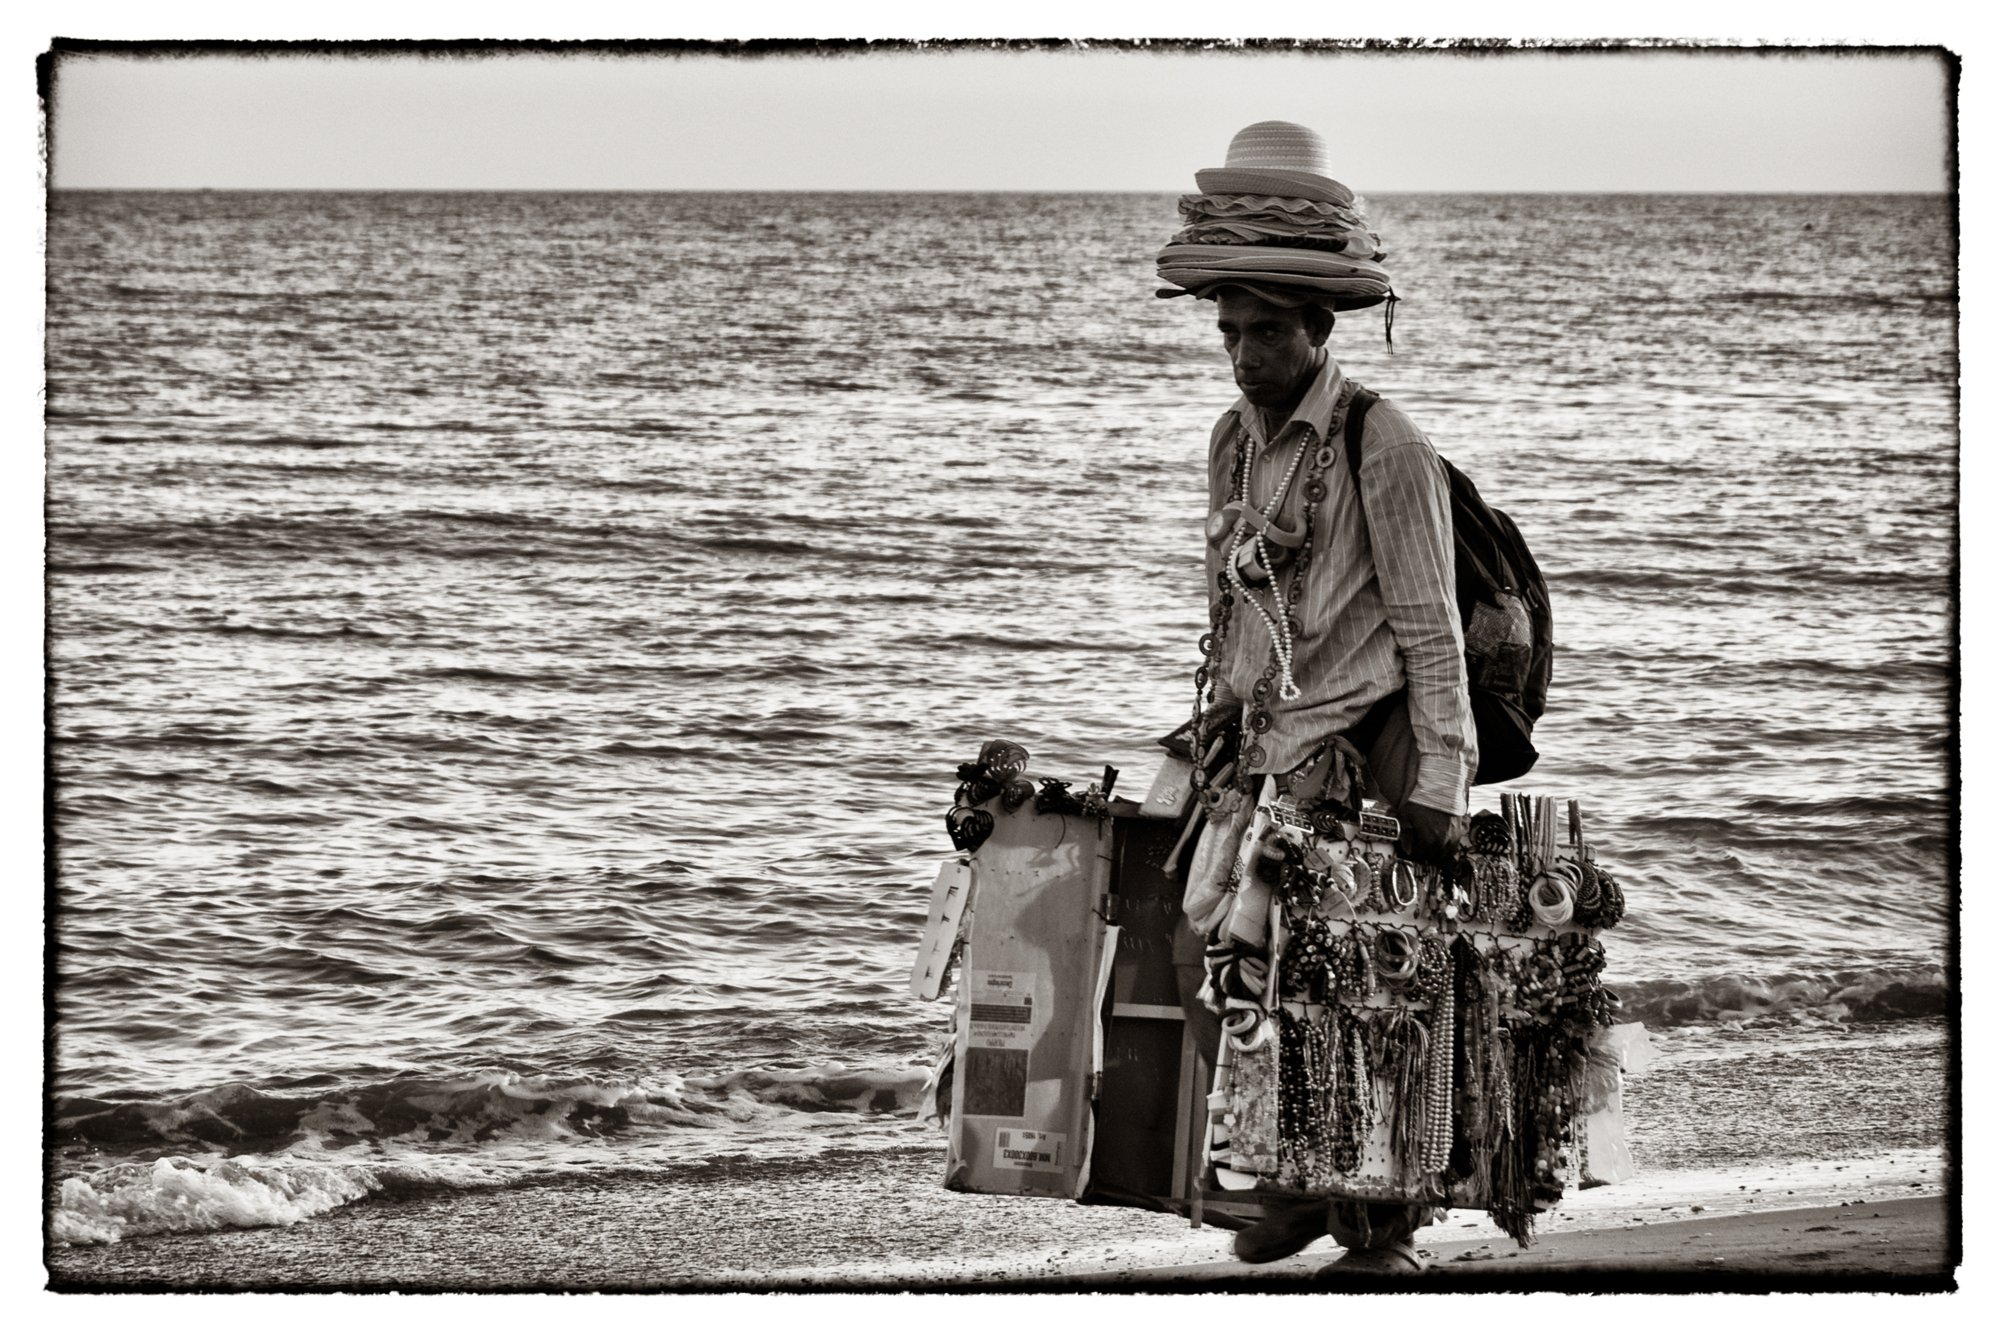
(1411, 1055)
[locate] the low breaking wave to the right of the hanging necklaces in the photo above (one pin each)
(1845, 997)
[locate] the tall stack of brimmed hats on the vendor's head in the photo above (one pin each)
(1275, 221)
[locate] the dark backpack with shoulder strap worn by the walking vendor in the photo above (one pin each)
(1503, 607)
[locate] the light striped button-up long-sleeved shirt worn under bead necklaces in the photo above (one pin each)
(1379, 609)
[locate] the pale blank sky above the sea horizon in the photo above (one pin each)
(1711, 121)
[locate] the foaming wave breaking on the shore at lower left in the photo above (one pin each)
(237, 1157)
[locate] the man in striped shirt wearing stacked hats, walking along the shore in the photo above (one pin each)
(1333, 609)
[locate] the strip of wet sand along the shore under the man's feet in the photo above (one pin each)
(881, 1223)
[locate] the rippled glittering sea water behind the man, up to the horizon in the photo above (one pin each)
(511, 651)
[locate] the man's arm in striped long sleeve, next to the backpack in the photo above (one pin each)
(1409, 515)
